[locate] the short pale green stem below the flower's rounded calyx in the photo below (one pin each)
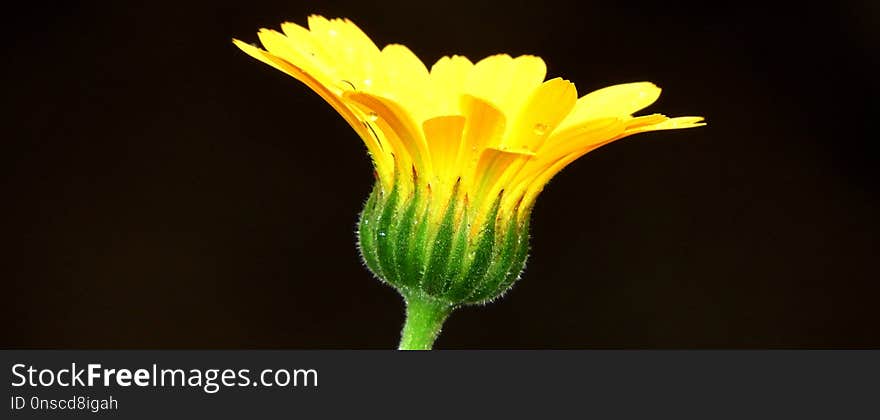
(424, 319)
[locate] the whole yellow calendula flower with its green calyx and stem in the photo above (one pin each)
(461, 151)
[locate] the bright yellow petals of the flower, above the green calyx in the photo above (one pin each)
(495, 125)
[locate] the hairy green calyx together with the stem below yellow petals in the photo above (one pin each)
(432, 254)
